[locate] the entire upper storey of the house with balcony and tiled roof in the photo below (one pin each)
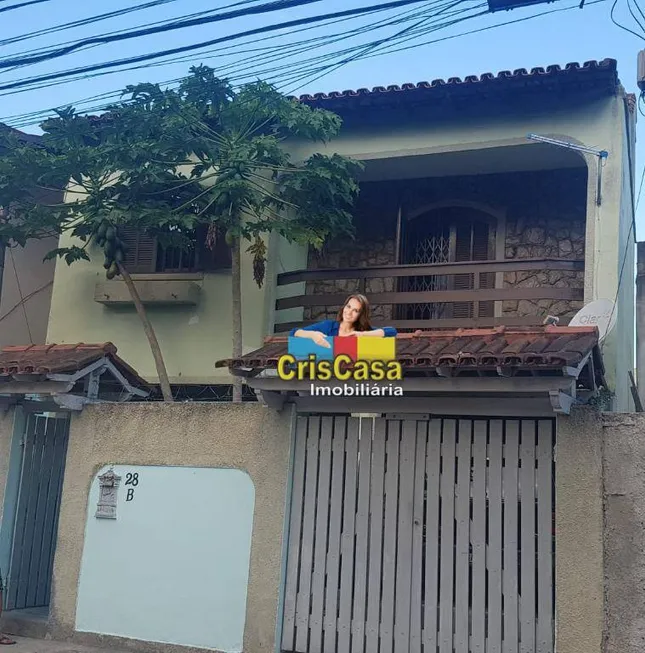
(451, 179)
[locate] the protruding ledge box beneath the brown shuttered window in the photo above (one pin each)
(154, 290)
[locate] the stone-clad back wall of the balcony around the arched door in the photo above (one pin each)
(545, 218)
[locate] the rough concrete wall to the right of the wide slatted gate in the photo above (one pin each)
(600, 555)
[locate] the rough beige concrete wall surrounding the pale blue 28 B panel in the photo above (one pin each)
(249, 438)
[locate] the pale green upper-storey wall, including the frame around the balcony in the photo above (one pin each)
(193, 338)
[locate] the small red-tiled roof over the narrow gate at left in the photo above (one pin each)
(61, 359)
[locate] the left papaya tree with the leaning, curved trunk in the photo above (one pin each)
(93, 166)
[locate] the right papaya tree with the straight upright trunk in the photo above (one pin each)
(243, 174)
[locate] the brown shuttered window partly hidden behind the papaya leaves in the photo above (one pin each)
(145, 254)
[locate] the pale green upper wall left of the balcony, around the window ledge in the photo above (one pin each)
(192, 338)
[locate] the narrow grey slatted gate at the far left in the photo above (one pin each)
(34, 539)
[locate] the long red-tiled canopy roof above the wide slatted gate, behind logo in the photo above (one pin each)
(534, 348)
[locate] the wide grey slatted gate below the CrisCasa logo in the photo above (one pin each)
(431, 536)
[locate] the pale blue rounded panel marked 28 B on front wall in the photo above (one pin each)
(188, 528)
